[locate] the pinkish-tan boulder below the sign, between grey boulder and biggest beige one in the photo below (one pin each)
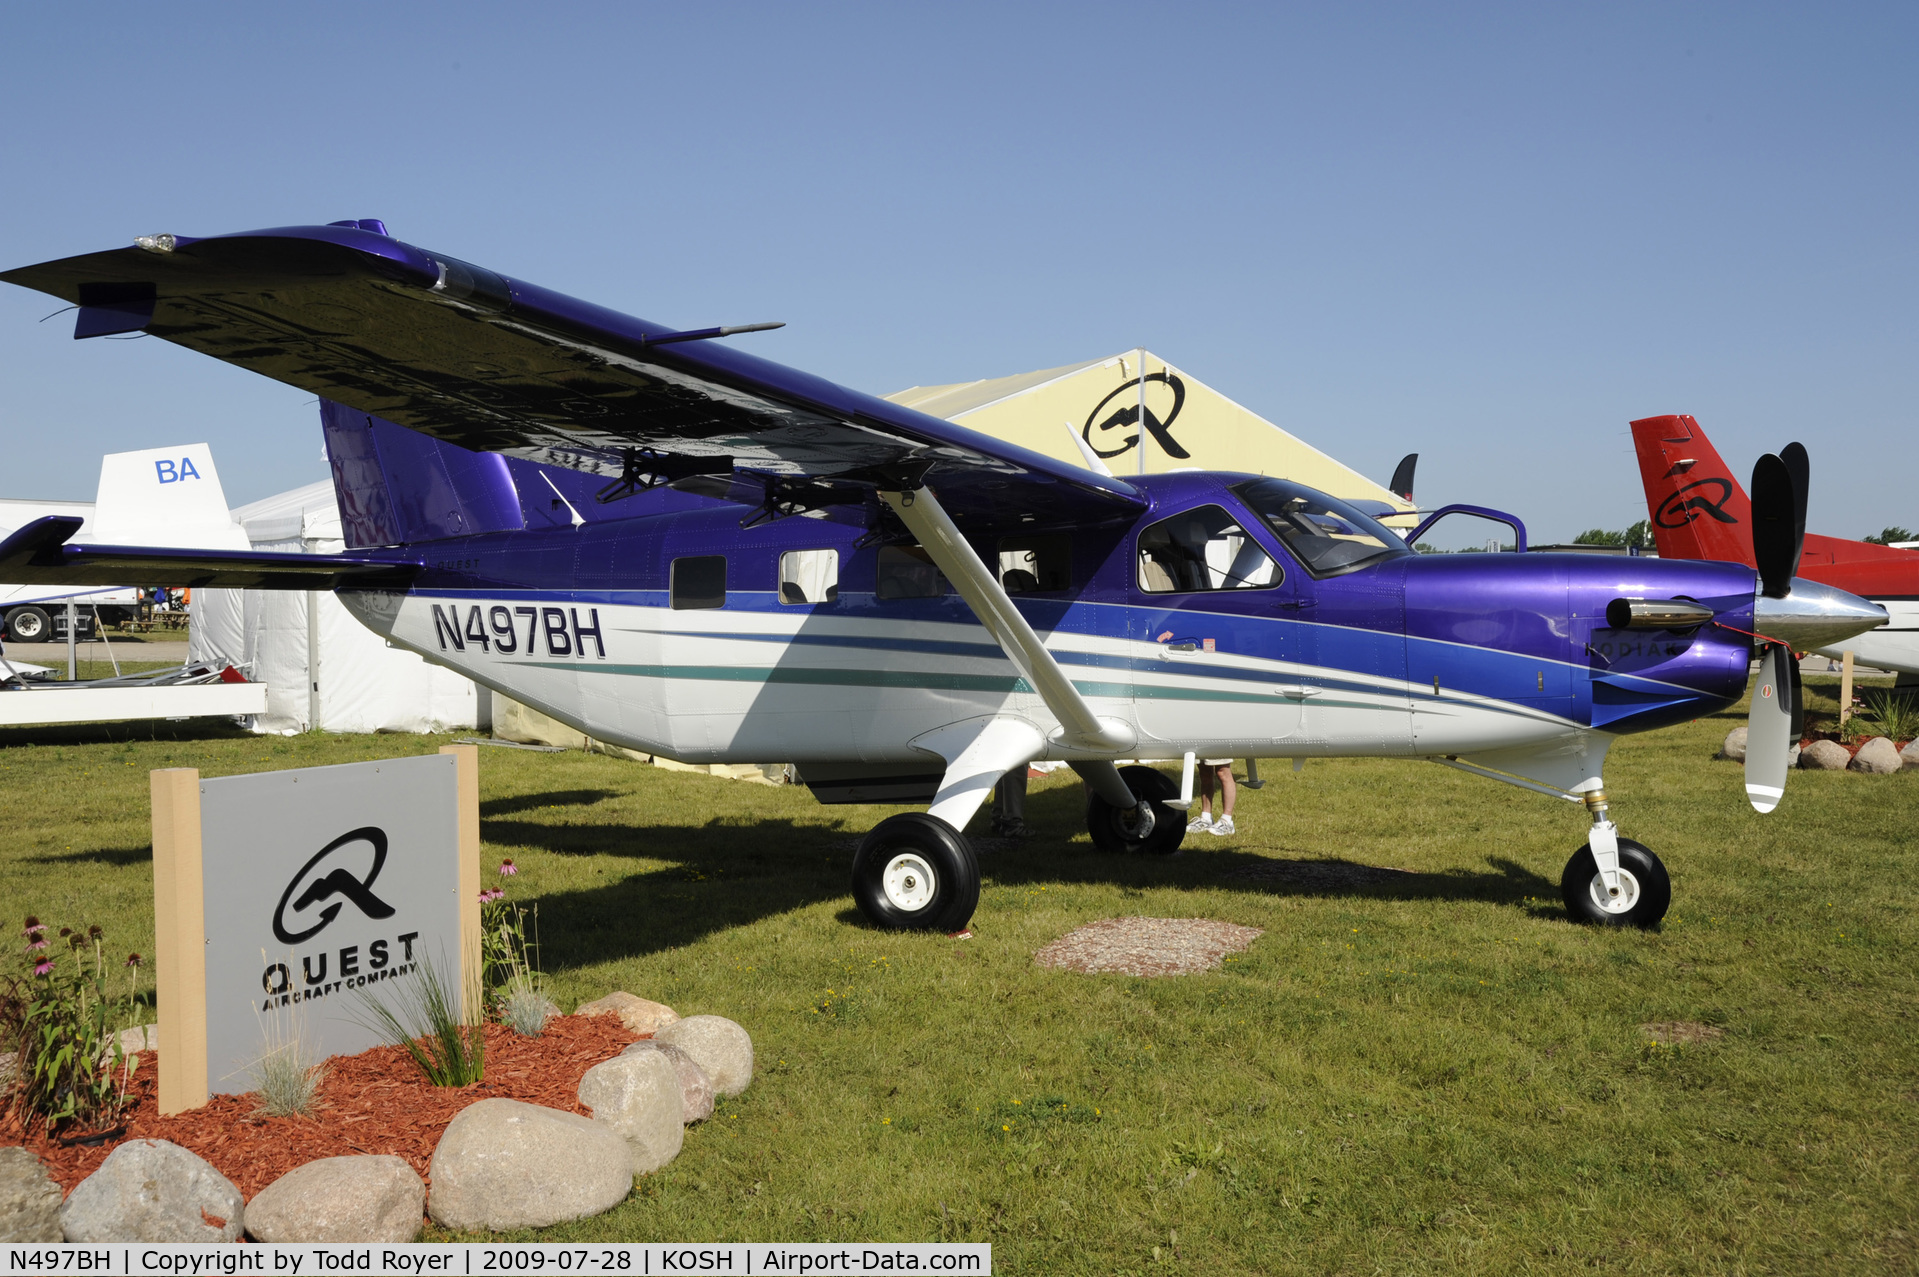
(367, 1199)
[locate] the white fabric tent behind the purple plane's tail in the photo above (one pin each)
(321, 667)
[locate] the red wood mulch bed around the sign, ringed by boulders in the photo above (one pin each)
(373, 1103)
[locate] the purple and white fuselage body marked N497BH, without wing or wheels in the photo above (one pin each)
(1413, 656)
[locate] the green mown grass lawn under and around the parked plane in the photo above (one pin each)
(1425, 1072)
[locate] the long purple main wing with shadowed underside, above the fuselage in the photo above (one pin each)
(494, 364)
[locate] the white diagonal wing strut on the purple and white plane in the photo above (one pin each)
(1079, 725)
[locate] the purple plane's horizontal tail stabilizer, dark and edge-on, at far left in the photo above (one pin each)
(39, 554)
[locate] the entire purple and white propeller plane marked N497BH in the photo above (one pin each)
(688, 550)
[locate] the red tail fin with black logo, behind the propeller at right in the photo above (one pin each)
(1694, 500)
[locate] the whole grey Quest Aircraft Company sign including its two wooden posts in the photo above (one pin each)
(316, 890)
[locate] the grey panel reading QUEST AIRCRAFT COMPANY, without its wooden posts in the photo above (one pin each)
(321, 890)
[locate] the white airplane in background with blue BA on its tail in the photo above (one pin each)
(156, 496)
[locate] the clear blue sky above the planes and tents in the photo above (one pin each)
(1484, 233)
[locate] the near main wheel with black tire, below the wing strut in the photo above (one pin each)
(916, 873)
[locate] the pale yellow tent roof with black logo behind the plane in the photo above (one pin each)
(1189, 425)
